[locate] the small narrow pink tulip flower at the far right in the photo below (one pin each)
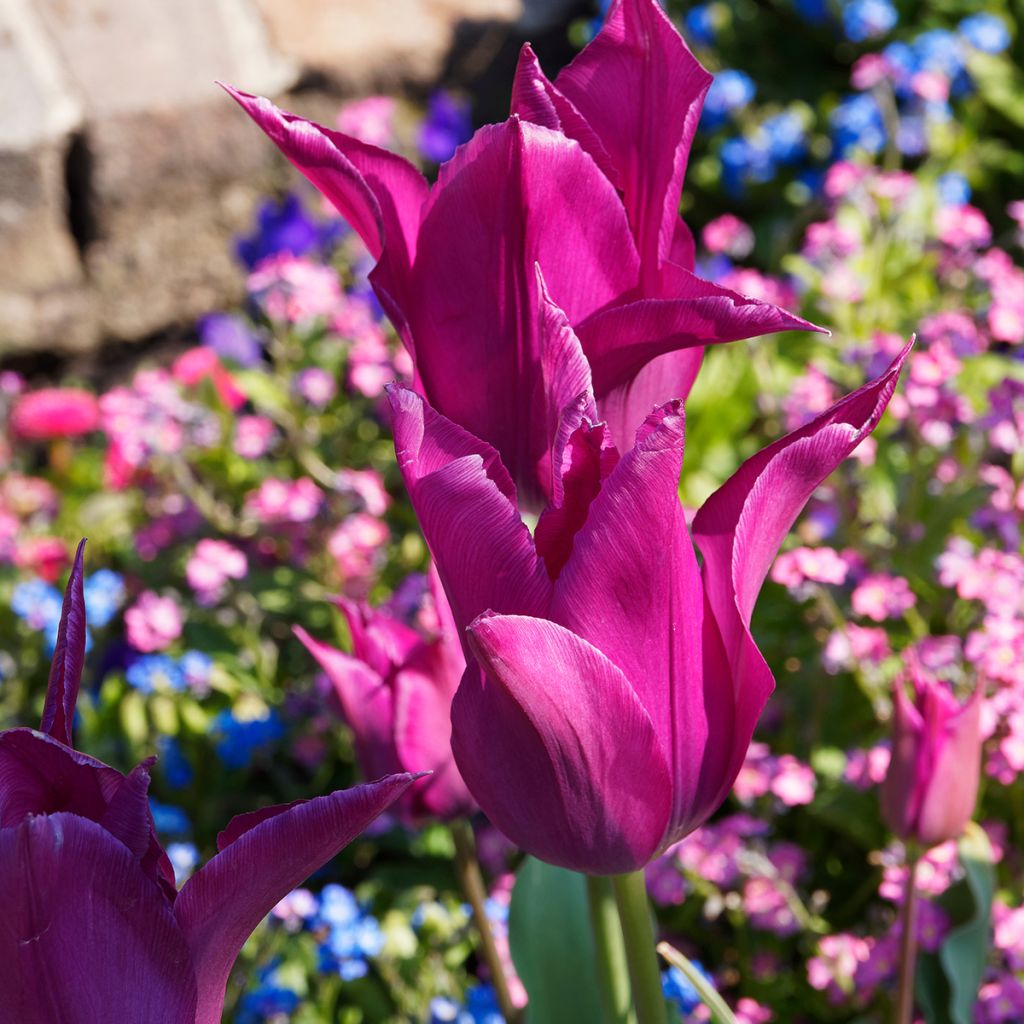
(929, 793)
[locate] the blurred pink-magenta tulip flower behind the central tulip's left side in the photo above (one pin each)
(396, 692)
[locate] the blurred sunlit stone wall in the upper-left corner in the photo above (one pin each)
(124, 170)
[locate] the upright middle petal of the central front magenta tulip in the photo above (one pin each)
(632, 589)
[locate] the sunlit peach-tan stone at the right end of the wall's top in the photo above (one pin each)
(354, 47)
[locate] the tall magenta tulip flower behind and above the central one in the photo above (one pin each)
(583, 182)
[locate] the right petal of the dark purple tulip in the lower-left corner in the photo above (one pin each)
(222, 905)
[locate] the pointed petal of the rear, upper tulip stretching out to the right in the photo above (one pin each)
(620, 342)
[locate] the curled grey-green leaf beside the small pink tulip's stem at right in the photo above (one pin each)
(948, 982)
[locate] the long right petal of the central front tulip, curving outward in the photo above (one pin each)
(742, 526)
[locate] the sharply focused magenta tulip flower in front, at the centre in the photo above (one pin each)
(613, 685)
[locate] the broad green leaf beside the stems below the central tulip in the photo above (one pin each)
(552, 946)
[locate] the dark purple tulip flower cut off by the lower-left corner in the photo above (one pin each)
(93, 929)
